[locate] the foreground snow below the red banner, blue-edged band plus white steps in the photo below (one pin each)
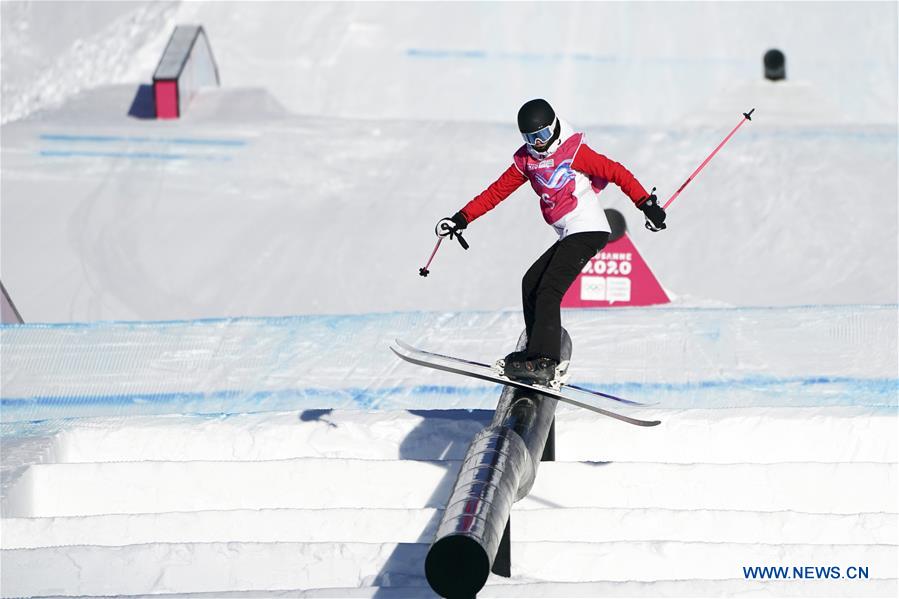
(297, 455)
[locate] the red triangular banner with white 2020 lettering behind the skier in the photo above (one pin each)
(617, 276)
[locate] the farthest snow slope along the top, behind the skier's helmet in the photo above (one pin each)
(610, 63)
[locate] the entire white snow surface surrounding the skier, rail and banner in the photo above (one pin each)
(202, 403)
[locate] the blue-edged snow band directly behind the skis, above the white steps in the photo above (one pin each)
(682, 357)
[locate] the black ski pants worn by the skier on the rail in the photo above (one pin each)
(544, 284)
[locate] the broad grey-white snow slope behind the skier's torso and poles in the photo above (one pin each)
(108, 218)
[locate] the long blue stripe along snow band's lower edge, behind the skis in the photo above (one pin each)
(754, 392)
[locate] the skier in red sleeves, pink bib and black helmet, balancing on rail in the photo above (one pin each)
(568, 176)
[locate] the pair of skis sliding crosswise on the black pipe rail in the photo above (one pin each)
(486, 372)
